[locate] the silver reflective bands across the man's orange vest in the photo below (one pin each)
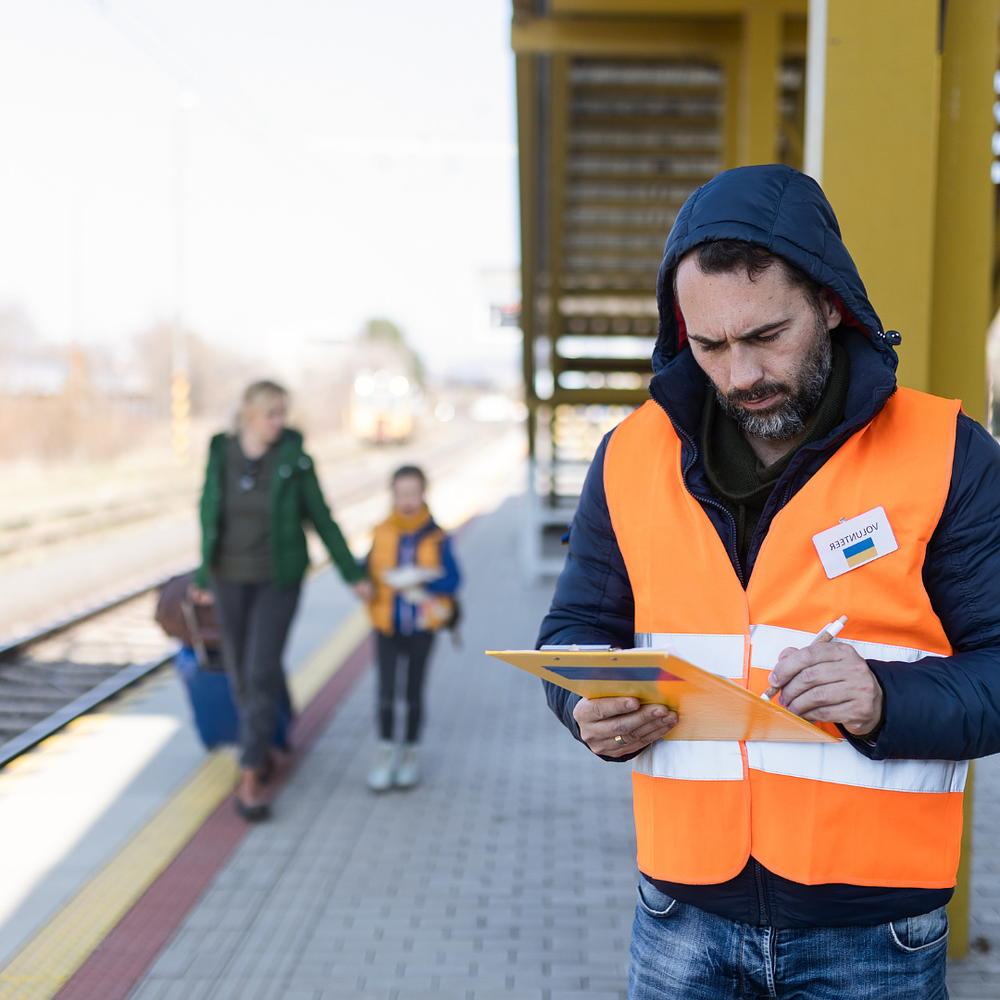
(839, 763)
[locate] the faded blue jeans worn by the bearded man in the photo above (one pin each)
(683, 953)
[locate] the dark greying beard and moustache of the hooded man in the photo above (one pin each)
(789, 417)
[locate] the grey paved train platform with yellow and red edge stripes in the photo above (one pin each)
(507, 873)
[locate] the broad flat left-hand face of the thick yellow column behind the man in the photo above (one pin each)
(880, 158)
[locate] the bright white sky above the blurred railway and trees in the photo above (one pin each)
(341, 159)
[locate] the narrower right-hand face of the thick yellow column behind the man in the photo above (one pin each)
(963, 259)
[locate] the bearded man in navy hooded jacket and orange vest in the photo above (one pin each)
(778, 478)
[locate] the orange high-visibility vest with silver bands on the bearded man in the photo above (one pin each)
(811, 812)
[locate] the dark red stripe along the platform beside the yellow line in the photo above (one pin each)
(115, 967)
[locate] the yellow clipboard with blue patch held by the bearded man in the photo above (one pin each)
(709, 707)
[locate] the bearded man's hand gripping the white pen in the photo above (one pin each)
(829, 682)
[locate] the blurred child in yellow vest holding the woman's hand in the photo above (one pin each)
(415, 576)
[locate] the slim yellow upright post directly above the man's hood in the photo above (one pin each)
(760, 58)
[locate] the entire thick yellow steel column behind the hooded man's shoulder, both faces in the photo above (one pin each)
(906, 165)
